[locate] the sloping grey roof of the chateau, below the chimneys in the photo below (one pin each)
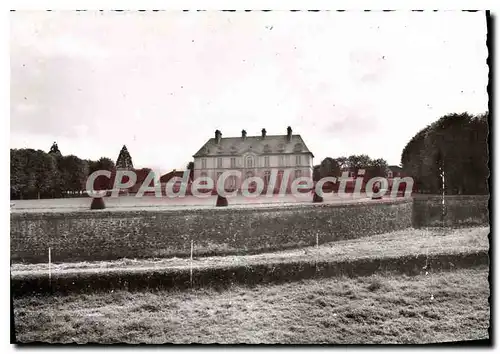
(271, 144)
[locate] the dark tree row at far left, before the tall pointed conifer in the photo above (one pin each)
(36, 174)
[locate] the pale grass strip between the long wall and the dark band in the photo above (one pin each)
(394, 244)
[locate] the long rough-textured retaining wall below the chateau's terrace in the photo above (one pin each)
(109, 235)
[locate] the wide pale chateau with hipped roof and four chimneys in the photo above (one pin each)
(254, 156)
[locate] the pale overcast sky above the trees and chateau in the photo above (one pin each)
(162, 83)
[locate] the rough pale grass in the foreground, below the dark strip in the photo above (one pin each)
(437, 307)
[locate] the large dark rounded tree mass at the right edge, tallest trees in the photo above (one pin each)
(454, 148)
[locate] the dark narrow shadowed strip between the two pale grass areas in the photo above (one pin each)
(221, 277)
